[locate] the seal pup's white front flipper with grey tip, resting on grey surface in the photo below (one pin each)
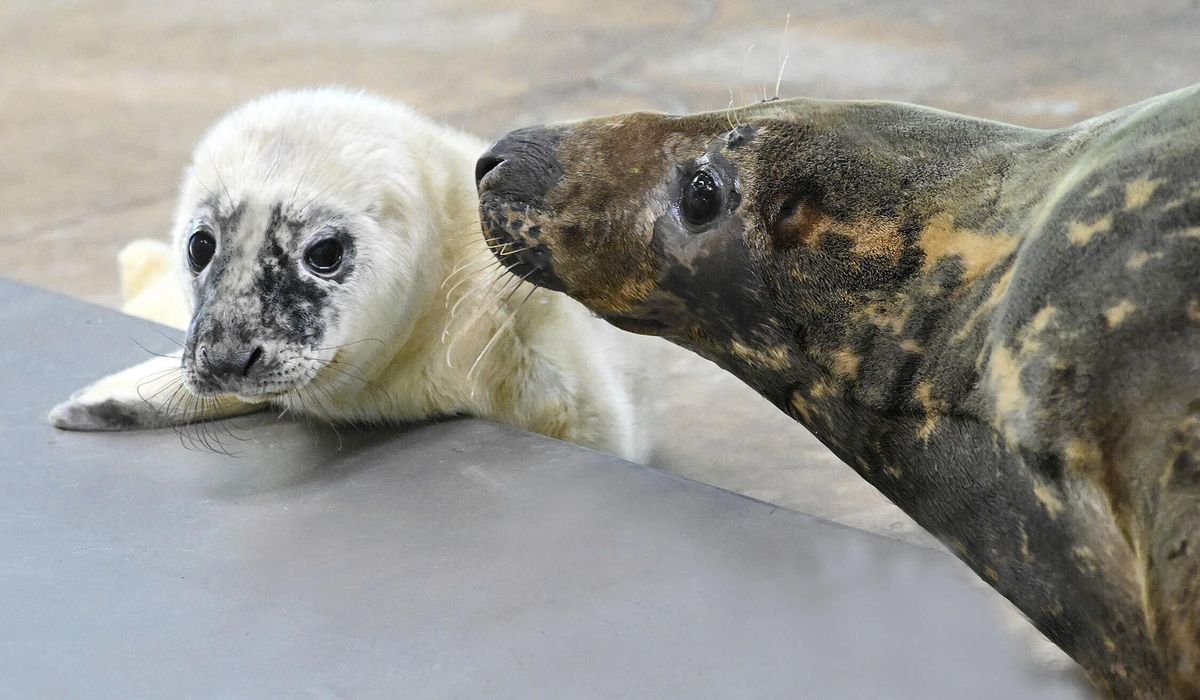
(151, 394)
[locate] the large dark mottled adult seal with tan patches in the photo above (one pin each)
(998, 327)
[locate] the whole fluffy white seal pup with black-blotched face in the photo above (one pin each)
(327, 261)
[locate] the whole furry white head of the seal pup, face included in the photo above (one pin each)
(302, 231)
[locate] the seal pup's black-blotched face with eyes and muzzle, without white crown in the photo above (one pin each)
(268, 282)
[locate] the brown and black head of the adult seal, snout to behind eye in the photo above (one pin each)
(646, 219)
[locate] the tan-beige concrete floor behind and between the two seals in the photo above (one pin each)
(101, 103)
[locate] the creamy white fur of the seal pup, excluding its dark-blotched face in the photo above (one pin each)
(419, 256)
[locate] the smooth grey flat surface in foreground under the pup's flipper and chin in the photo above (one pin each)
(455, 560)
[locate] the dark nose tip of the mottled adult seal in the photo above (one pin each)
(523, 165)
